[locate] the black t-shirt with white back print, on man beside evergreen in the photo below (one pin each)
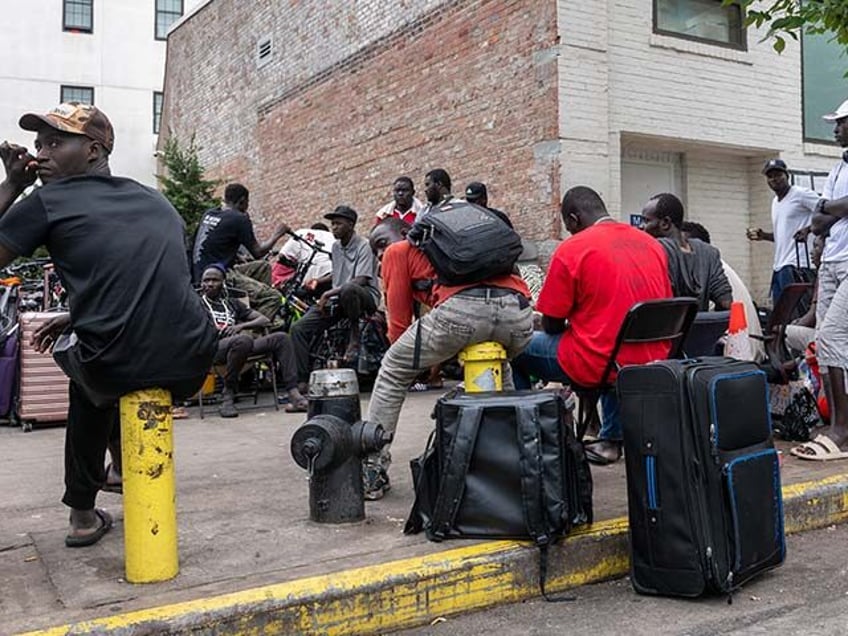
(219, 236)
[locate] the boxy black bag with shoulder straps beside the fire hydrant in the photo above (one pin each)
(502, 466)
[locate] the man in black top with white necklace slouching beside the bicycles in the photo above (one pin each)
(233, 319)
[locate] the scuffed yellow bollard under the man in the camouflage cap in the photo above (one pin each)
(150, 513)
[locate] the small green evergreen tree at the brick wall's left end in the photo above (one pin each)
(184, 185)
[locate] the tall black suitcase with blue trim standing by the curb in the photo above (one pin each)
(703, 477)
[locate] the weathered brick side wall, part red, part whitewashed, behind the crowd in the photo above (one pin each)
(357, 94)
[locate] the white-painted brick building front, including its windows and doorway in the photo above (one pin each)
(677, 96)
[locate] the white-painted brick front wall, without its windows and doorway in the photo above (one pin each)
(725, 110)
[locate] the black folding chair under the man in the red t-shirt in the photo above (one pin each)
(648, 321)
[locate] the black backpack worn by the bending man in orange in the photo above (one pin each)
(466, 243)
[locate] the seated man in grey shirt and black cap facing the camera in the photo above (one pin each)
(354, 280)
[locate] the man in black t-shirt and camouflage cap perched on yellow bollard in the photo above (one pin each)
(134, 320)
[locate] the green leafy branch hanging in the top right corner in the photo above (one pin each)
(790, 18)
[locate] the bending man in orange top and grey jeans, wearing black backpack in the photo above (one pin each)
(469, 306)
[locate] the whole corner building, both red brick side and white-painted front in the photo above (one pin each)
(313, 104)
